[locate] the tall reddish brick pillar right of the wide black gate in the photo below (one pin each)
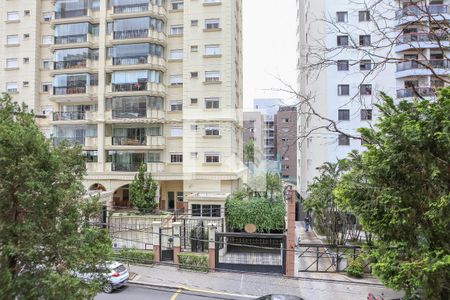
(290, 239)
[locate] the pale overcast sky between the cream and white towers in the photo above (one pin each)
(269, 38)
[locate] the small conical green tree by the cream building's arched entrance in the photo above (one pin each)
(143, 191)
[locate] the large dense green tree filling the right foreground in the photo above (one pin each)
(400, 190)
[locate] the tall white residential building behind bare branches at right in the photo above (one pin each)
(346, 89)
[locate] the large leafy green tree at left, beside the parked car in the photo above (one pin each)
(45, 226)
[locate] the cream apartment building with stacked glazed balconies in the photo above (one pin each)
(135, 82)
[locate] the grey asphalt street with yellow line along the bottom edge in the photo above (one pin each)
(135, 292)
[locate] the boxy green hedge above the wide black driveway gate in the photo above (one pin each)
(267, 215)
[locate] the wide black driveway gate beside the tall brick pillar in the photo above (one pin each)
(262, 253)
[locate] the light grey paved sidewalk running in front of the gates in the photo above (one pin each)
(253, 285)
